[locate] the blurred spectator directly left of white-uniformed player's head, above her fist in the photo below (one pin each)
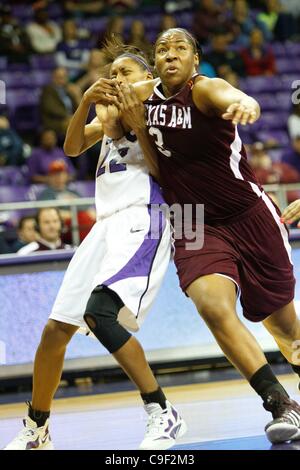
(92, 71)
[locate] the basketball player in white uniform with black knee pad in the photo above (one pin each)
(114, 275)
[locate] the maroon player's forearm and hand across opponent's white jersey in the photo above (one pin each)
(133, 117)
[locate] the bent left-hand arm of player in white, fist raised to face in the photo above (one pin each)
(81, 136)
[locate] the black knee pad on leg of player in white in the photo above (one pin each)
(101, 316)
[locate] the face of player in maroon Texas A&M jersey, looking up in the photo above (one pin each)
(175, 60)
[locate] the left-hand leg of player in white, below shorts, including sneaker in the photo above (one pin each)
(48, 366)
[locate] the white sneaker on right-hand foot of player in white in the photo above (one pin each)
(163, 427)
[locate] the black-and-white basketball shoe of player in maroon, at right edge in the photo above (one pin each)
(286, 419)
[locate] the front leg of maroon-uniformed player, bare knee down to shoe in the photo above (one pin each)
(214, 297)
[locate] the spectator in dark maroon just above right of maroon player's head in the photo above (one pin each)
(206, 20)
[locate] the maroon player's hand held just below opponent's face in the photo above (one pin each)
(132, 108)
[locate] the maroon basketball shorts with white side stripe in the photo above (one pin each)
(252, 250)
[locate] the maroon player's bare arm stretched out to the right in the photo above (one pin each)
(217, 97)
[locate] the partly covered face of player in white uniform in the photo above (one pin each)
(127, 70)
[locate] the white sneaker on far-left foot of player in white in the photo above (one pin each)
(32, 437)
